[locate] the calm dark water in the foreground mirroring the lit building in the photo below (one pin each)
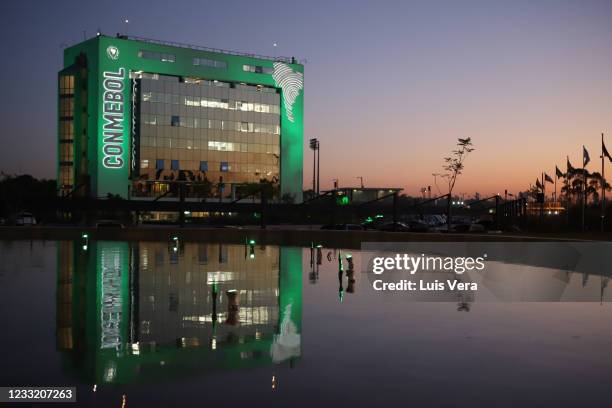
(166, 323)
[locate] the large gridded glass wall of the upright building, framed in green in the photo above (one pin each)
(199, 133)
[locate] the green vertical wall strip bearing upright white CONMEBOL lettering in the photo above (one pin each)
(113, 123)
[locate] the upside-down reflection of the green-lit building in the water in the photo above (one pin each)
(129, 312)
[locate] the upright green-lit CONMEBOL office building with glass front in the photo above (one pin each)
(138, 118)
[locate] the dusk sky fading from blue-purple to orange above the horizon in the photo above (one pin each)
(389, 86)
